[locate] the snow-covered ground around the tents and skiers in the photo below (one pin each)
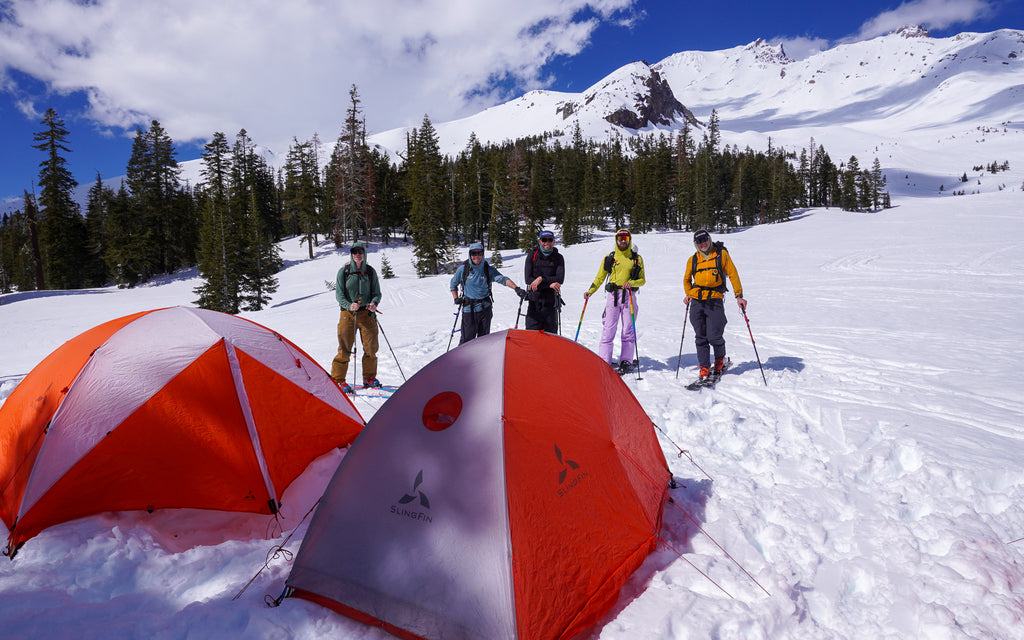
(874, 487)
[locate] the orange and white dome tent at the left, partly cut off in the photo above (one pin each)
(175, 408)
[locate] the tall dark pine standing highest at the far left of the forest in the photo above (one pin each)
(63, 237)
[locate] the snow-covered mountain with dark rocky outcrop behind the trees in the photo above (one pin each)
(898, 98)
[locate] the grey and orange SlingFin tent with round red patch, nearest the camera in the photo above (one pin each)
(507, 491)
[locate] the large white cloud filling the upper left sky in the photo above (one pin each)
(285, 69)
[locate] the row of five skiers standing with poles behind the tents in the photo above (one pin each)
(621, 274)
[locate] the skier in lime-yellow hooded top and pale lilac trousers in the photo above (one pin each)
(624, 271)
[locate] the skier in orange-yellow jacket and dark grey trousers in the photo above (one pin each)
(705, 283)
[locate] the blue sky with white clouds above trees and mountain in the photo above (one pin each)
(284, 70)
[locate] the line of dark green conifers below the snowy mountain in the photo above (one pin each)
(230, 224)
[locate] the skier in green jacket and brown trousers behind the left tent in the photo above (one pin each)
(359, 291)
